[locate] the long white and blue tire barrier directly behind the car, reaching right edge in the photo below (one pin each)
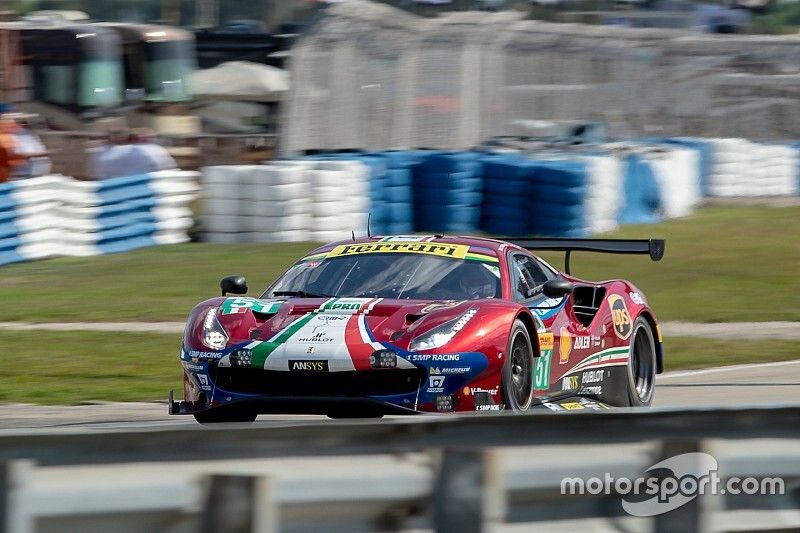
(555, 190)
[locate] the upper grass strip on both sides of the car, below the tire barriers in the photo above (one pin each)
(722, 264)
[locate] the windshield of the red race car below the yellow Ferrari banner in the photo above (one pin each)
(410, 276)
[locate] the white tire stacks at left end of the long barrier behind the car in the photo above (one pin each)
(321, 199)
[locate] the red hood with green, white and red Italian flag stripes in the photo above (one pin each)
(342, 332)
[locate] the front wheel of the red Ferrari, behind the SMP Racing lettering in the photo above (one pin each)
(517, 373)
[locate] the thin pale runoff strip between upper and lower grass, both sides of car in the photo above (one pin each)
(719, 330)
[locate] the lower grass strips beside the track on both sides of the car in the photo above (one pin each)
(67, 368)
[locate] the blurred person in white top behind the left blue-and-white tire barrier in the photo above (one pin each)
(128, 153)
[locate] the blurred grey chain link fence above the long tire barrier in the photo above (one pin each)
(370, 76)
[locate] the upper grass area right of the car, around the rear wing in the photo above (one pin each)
(722, 264)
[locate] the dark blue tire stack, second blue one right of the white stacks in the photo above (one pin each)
(448, 191)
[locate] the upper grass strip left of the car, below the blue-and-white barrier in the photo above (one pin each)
(152, 284)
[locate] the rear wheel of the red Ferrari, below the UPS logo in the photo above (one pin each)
(641, 365)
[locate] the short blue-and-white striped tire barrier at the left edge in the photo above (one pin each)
(54, 215)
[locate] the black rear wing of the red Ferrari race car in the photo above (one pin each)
(652, 247)
